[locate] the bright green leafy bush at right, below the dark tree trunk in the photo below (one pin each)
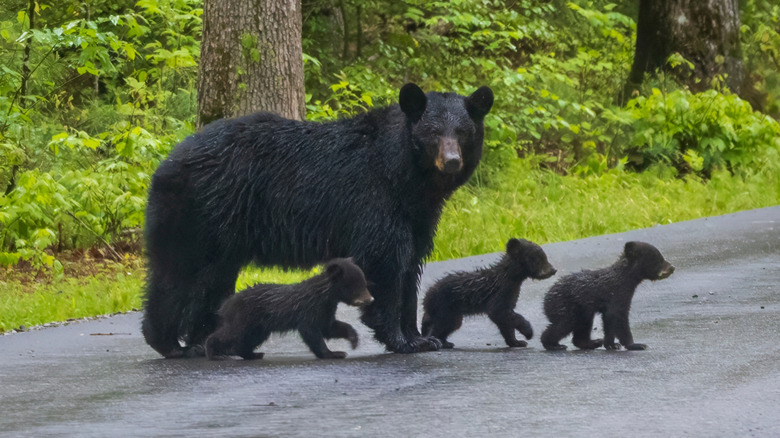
(698, 133)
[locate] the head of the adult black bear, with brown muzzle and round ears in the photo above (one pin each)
(447, 128)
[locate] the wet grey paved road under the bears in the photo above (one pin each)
(713, 367)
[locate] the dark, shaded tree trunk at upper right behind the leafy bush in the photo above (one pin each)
(705, 32)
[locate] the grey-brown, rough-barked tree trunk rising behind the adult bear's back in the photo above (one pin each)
(251, 59)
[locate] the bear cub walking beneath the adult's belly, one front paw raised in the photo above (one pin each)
(249, 317)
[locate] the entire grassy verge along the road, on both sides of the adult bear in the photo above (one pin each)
(520, 201)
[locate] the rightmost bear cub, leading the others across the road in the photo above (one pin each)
(573, 301)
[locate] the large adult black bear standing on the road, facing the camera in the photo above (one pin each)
(273, 191)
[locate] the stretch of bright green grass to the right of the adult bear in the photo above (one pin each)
(542, 206)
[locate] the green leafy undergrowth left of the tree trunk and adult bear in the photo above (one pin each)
(103, 94)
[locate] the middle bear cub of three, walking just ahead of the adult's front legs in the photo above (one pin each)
(492, 290)
